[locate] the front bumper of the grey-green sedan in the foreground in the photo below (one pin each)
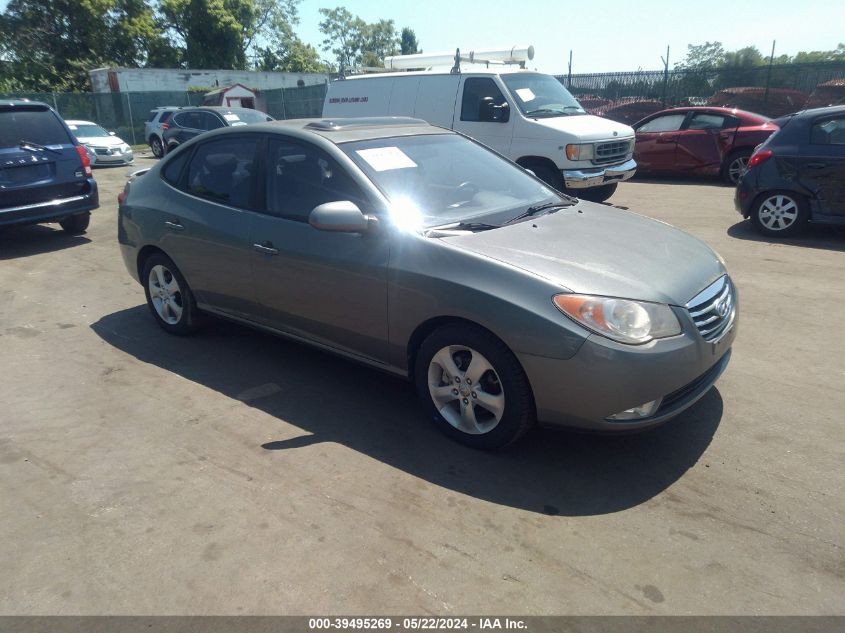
(605, 378)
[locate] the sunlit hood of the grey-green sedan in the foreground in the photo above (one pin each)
(602, 250)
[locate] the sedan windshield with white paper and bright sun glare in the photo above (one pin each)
(440, 179)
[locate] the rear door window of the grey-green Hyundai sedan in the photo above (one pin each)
(222, 170)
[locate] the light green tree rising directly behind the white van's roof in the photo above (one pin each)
(354, 42)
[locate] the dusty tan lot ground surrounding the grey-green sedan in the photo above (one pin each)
(237, 473)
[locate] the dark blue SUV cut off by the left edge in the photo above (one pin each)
(45, 174)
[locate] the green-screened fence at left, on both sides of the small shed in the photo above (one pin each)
(126, 112)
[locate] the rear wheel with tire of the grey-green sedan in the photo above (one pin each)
(168, 296)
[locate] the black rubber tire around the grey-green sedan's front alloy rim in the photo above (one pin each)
(506, 378)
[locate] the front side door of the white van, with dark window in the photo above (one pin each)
(484, 113)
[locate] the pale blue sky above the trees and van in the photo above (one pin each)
(606, 35)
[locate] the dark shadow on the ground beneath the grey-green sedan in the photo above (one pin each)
(549, 471)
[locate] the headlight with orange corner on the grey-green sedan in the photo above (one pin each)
(623, 320)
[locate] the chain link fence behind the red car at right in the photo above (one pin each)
(770, 90)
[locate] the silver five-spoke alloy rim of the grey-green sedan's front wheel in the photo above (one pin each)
(466, 389)
